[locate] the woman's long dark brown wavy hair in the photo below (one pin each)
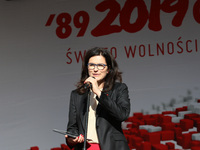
(113, 74)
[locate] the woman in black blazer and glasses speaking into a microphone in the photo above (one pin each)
(109, 104)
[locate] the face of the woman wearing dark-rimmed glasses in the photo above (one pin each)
(97, 67)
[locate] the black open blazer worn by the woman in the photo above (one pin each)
(112, 109)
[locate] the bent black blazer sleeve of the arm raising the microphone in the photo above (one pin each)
(118, 103)
